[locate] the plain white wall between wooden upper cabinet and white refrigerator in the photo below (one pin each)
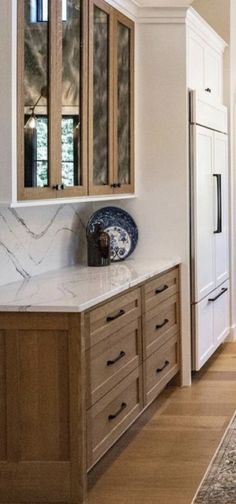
(162, 207)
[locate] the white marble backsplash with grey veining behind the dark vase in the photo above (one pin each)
(39, 239)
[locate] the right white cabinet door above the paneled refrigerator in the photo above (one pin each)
(213, 73)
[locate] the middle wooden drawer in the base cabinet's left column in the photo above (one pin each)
(112, 359)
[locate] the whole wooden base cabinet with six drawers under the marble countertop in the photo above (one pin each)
(71, 384)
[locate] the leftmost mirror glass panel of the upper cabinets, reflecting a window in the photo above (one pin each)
(36, 33)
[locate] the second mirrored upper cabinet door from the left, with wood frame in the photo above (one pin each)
(73, 98)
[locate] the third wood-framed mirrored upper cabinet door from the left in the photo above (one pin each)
(100, 98)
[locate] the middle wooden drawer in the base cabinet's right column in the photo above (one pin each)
(161, 323)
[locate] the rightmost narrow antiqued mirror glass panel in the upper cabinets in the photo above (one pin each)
(124, 89)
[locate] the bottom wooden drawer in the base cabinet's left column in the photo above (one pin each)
(112, 415)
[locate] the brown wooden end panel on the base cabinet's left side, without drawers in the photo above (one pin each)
(42, 448)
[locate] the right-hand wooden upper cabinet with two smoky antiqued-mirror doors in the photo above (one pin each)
(111, 96)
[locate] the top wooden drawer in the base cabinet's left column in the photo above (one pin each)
(112, 316)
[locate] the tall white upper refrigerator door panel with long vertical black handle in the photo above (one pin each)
(210, 221)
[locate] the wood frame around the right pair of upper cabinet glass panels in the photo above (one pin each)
(115, 17)
